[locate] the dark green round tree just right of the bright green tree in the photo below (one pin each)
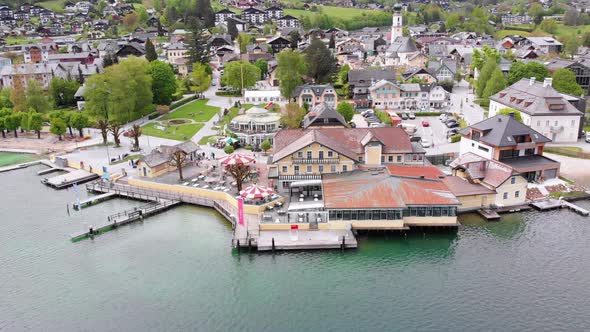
(321, 64)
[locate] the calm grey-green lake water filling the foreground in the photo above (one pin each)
(177, 271)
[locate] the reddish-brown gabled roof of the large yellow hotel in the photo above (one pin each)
(345, 141)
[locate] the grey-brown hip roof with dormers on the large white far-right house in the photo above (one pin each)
(535, 98)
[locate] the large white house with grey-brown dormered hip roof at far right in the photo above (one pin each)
(545, 110)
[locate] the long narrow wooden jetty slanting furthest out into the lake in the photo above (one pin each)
(123, 218)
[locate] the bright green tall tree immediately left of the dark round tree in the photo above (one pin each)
(290, 68)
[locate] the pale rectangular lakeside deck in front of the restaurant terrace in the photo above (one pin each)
(305, 240)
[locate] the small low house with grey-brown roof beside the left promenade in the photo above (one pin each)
(157, 162)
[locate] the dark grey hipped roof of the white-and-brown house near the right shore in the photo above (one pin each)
(499, 131)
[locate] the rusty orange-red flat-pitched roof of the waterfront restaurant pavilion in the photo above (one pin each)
(378, 189)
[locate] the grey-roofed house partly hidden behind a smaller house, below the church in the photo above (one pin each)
(360, 80)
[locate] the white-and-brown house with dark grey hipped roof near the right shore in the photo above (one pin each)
(502, 138)
